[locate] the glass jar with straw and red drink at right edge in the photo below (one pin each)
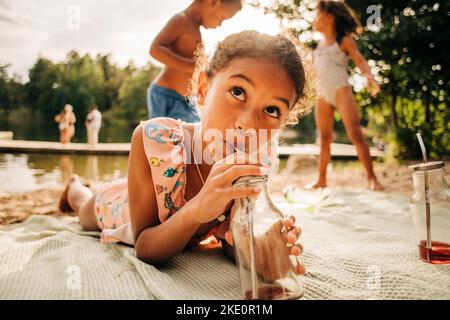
(430, 208)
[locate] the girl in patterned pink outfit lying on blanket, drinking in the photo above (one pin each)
(175, 196)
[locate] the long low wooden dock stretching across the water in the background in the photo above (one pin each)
(21, 146)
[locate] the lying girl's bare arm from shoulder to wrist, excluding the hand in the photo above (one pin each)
(155, 242)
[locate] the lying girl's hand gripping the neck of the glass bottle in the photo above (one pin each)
(218, 191)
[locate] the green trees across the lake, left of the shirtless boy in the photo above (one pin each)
(81, 81)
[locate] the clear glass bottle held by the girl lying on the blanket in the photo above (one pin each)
(265, 269)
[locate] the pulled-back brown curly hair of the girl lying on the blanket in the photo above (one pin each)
(283, 49)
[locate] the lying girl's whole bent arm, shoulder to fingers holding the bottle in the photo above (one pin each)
(157, 242)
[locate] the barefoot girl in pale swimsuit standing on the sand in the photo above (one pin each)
(337, 23)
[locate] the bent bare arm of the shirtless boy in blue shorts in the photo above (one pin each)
(160, 48)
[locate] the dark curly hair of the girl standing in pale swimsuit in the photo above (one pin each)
(345, 20)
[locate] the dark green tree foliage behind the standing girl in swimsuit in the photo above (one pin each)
(409, 53)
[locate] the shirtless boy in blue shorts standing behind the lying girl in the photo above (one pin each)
(174, 46)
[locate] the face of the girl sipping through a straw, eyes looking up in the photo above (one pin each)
(250, 97)
